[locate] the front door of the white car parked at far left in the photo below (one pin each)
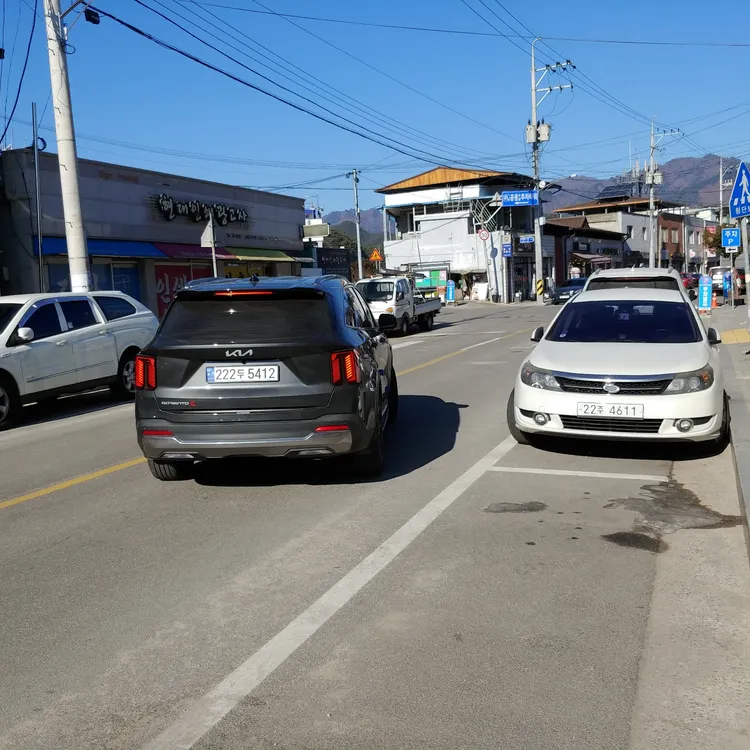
(47, 362)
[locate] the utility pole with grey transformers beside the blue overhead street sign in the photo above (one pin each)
(536, 133)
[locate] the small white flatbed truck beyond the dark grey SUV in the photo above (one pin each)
(397, 296)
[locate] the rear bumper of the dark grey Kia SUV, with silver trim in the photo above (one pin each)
(298, 439)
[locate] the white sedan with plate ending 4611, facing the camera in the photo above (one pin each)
(622, 364)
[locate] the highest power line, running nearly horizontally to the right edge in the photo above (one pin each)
(463, 32)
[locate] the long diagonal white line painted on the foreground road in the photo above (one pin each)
(209, 710)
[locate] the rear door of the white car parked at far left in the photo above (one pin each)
(94, 346)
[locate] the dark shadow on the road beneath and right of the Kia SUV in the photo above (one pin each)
(426, 429)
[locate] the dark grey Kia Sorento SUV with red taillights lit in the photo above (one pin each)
(279, 367)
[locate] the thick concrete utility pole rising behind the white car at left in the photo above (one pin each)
(67, 155)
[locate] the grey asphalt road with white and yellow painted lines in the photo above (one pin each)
(481, 595)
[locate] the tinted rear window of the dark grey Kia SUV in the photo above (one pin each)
(247, 321)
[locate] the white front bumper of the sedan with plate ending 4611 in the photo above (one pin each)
(659, 423)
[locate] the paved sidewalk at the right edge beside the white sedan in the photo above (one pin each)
(732, 324)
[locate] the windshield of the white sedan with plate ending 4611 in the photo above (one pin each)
(626, 322)
